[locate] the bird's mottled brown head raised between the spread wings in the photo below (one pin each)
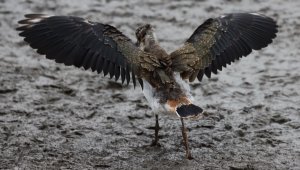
(145, 36)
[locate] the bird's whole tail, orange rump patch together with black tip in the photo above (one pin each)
(184, 108)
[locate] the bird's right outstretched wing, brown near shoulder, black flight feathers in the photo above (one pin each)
(220, 41)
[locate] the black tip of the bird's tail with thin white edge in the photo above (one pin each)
(188, 111)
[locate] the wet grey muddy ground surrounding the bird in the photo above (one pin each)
(58, 117)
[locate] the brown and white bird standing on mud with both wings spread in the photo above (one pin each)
(163, 76)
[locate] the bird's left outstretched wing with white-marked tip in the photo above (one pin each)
(79, 42)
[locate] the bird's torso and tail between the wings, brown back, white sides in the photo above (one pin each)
(165, 90)
